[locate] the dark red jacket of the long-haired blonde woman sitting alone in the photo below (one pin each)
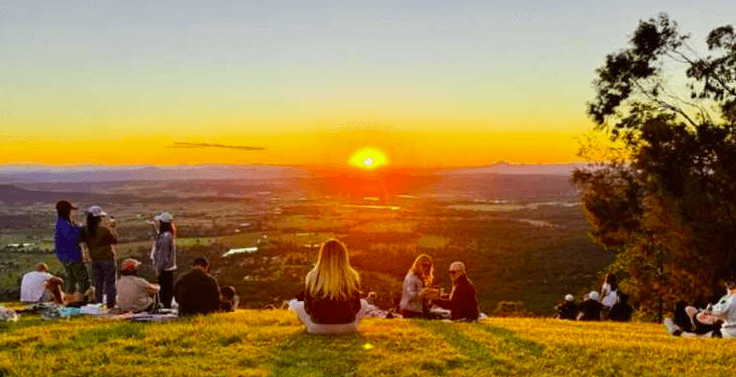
(324, 310)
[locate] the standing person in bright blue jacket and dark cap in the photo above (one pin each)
(69, 253)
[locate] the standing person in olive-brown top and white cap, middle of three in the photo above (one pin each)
(98, 240)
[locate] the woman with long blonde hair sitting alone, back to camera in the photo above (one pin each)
(332, 301)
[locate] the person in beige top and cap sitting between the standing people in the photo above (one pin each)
(134, 294)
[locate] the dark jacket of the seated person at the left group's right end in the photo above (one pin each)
(197, 293)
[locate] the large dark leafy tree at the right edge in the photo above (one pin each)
(669, 208)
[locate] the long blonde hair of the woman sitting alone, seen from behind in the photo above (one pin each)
(332, 276)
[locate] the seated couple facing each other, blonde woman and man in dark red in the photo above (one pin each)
(418, 294)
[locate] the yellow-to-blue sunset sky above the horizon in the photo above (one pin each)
(429, 83)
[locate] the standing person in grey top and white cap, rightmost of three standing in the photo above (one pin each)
(164, 257)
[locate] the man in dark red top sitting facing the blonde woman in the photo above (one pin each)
(463, 304)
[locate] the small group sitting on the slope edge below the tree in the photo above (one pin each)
(613, 305)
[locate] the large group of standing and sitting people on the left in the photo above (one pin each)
(196, 292)
